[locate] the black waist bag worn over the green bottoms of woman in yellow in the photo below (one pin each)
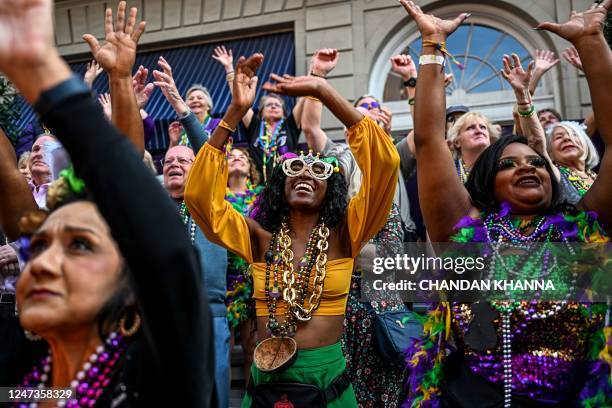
(295, 395)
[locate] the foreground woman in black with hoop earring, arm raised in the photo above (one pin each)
(112, 286)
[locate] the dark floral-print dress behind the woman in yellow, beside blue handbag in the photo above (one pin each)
(376, 382)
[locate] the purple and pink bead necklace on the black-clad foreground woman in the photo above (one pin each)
(89, 383)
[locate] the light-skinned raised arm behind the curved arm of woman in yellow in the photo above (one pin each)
(321, 64)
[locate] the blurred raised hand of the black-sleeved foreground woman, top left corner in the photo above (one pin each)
(26, 33)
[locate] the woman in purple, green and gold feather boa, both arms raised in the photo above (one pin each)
(507, 353)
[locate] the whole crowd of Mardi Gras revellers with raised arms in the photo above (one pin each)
(133, 292)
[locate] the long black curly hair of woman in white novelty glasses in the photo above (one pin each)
(272, 207)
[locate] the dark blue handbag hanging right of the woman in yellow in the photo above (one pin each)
(394, 332)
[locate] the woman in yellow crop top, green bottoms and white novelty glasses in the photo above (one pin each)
(301, 241)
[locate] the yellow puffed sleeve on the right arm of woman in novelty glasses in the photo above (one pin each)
(378, 161)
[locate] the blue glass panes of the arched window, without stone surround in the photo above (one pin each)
(479, 49)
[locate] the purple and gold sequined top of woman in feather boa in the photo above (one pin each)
(547, 354)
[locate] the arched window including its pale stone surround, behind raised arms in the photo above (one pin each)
(479, 45)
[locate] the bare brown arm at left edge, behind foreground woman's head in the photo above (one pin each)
(16, 194)
